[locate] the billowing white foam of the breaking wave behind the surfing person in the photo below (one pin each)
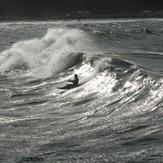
(58, 50)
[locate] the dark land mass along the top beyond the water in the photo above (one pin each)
(76, 9)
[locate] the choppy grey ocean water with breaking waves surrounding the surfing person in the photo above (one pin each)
(114, 115)
